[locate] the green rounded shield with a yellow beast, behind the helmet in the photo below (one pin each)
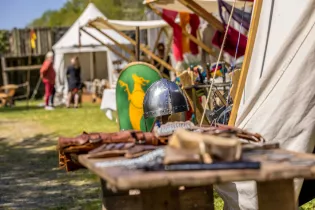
(131, 86)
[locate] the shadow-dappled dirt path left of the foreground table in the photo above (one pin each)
(29, 174)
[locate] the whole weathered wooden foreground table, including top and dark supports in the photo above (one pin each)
(164, 190)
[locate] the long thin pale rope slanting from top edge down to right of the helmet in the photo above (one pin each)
(217, 64)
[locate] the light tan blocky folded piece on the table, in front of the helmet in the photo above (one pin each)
(186, 147)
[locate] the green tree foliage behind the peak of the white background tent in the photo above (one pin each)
(71, 10)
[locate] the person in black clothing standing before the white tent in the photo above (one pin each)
(74, 82)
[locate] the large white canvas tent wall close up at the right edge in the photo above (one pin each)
(279, 100)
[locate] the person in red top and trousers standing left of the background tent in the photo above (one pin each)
(48, 75)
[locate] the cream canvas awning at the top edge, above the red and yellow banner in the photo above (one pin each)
(210, 5)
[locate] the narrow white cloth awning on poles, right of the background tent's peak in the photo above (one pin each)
(123, 25)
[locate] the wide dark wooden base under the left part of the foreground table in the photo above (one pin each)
(158, 198)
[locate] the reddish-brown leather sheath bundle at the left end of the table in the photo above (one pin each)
(128, 143)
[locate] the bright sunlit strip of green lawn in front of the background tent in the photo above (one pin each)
(71, 122)
